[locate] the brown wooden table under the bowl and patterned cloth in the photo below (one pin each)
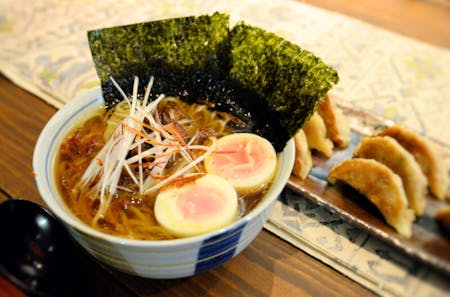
(269, 266)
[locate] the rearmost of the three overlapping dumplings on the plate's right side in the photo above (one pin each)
(422, 151)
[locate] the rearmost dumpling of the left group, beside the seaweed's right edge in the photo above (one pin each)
(338, 128)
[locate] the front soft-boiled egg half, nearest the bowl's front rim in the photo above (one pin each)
(198, 206)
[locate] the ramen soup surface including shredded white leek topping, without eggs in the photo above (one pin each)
(161, 146)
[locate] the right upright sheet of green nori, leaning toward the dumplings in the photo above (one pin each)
(291, 80)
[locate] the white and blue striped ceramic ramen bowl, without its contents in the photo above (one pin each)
(162, 259)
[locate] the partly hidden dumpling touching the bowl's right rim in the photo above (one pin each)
(303, 160)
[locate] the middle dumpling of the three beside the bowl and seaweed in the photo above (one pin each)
(316, 135)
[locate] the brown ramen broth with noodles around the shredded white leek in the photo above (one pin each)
(130, 213)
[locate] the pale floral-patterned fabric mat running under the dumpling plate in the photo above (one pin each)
(44, 49)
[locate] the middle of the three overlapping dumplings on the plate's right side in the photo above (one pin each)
(389, 152)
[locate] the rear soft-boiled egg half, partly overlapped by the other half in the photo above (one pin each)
(246, 160)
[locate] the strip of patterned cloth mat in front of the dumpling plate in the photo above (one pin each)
(351, 251)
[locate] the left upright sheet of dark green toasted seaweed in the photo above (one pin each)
(172, 50)
